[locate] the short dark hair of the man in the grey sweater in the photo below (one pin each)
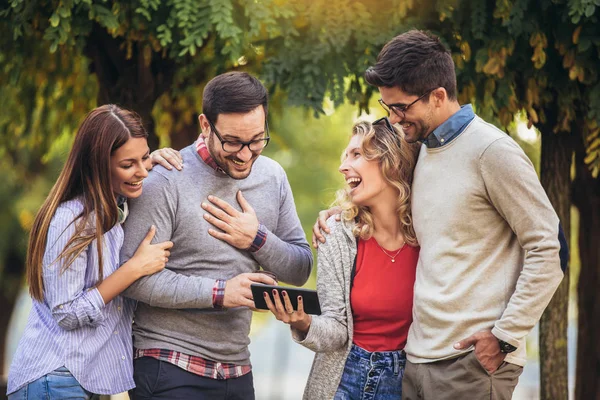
(233, 93)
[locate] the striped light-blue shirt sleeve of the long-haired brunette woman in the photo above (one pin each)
(72, 304)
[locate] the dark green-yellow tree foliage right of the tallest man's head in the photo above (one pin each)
(541, 57)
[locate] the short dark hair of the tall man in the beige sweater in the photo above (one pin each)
(415, 62)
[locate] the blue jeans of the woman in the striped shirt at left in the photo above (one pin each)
(58, 384)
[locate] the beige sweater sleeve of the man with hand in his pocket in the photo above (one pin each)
(515, 191)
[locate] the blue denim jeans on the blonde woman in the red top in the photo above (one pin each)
(372, 376)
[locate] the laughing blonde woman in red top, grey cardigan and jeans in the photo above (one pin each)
(365, 274)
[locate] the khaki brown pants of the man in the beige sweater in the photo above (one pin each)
(461, 378)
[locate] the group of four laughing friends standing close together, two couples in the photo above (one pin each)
(437, 259)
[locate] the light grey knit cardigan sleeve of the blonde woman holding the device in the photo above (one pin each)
(328, 331)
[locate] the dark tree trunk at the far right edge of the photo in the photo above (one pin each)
(586, 197)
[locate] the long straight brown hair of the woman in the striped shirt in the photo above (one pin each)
(87, 175)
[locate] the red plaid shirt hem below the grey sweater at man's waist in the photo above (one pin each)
(194, 364)
